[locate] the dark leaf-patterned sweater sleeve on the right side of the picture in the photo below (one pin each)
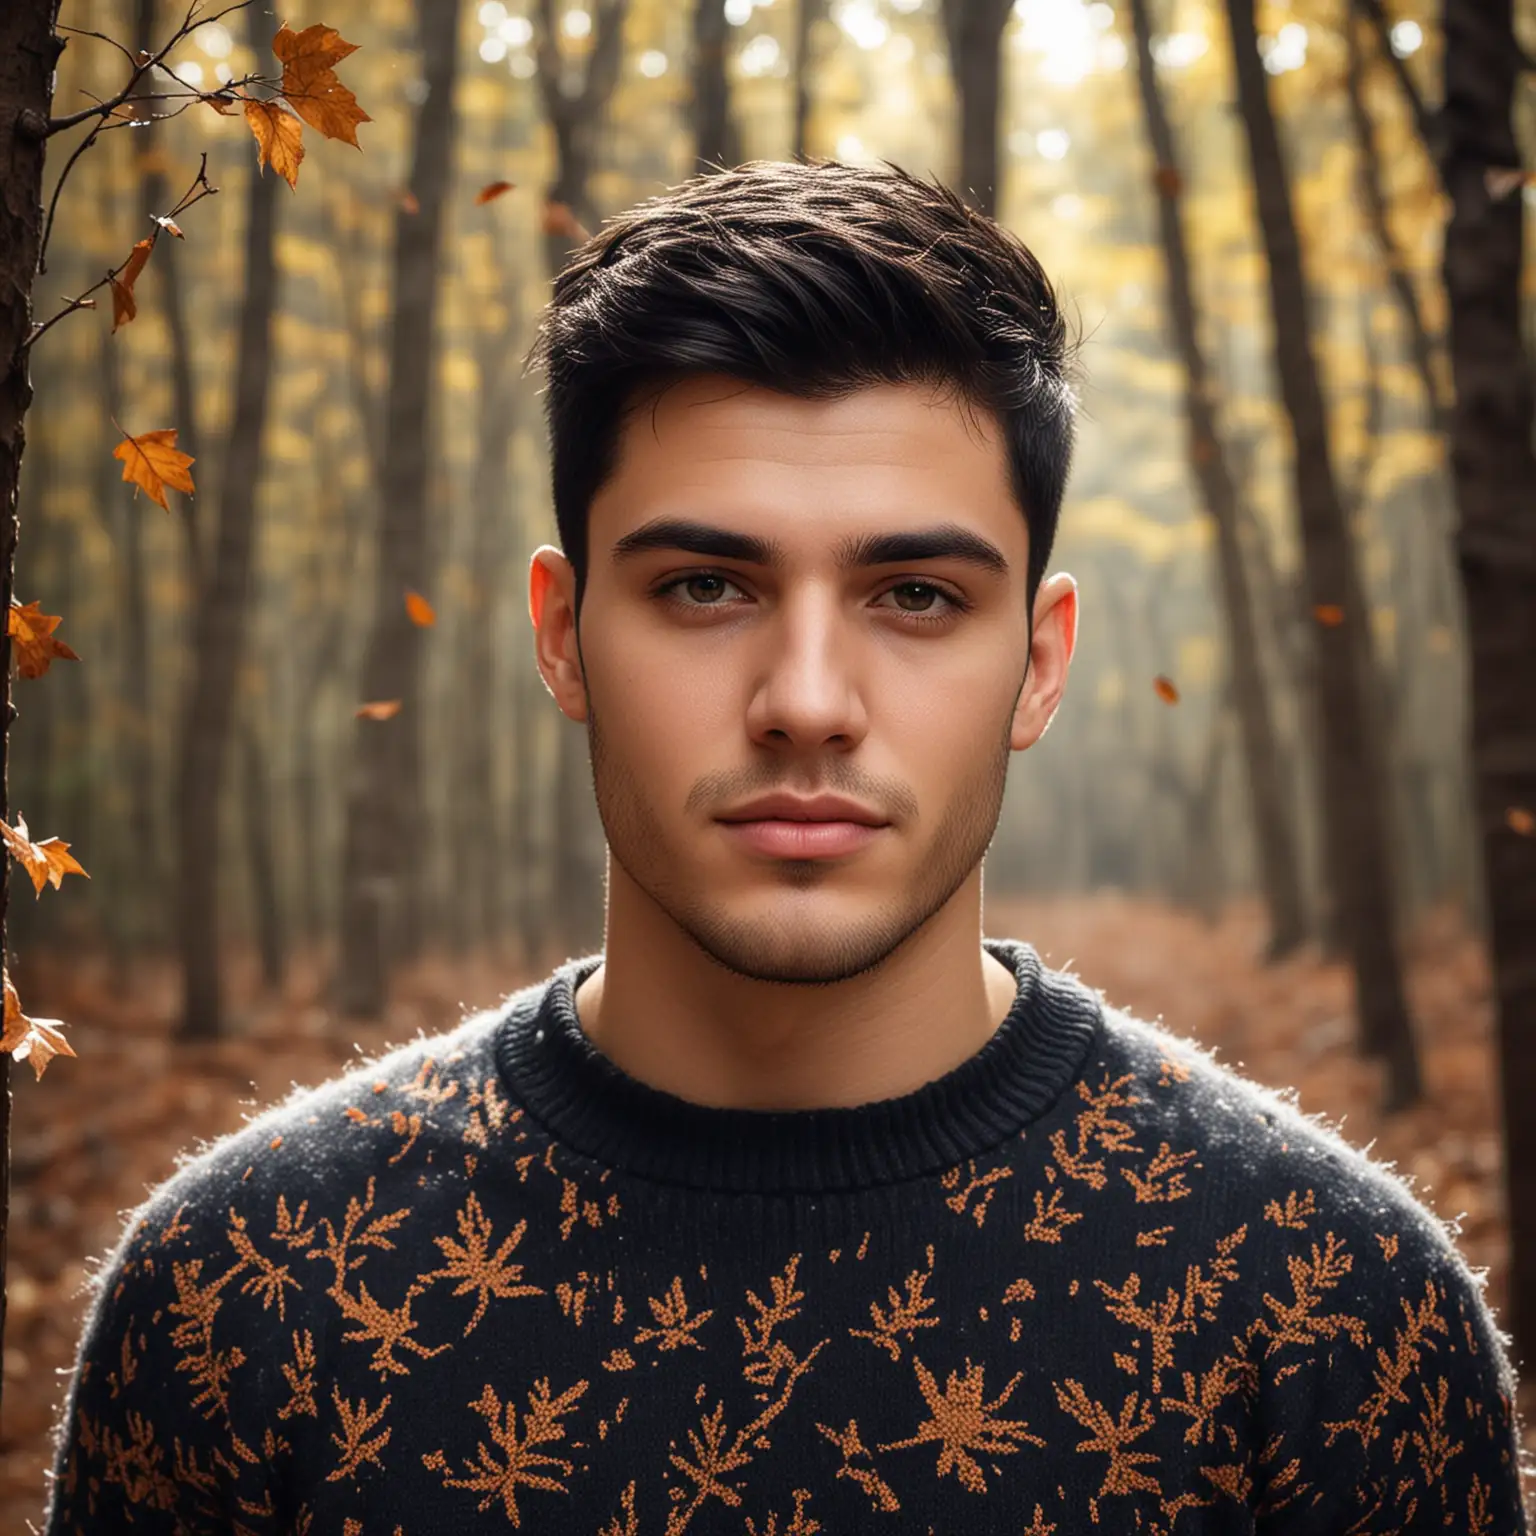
(1408, 1403)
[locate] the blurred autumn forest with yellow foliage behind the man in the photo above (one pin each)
(279, 882)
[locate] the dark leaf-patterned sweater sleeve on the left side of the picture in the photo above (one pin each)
(154, 1437)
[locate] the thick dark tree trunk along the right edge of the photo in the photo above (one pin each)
(1494, 469)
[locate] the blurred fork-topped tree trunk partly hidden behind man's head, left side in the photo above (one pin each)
(577, 119)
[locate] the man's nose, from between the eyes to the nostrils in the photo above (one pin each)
(809, 695)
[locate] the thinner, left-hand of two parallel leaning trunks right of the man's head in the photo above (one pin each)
(1274, 835)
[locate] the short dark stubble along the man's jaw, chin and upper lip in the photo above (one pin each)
(749, 948)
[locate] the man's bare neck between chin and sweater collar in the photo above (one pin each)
(677, 1021)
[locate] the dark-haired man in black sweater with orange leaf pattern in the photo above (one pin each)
(801, 1208)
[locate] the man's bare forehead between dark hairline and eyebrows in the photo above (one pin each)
(718, 449)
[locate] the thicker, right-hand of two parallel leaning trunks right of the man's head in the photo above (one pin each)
(1354, 772)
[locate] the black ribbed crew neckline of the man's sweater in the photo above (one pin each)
(591, 1105)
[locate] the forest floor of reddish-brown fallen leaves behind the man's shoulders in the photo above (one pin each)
(98, 1133)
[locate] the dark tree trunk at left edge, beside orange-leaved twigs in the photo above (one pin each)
(28, 53)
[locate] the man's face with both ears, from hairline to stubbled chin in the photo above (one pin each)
(804, 600)
